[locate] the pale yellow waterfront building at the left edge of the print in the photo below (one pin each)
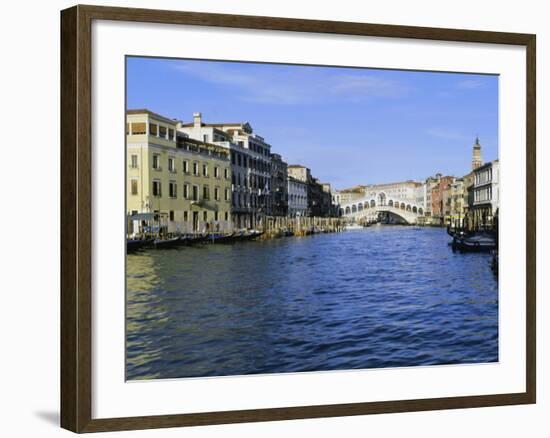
(183, 183)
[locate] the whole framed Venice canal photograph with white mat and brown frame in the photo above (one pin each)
(269, 218)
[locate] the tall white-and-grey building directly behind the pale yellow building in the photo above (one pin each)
(250, 166)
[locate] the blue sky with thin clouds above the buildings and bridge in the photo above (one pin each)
(350, 126)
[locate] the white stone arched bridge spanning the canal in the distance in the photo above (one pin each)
(372, 206)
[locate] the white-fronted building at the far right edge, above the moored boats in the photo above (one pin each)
(485, 203)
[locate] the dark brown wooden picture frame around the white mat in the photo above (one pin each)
(76, 217)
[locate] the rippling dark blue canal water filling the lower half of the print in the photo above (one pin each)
(386, 296)
